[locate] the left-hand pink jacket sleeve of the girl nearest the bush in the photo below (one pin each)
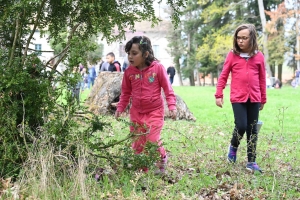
(125, 93)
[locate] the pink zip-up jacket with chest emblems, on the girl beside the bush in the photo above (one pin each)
(144, 87)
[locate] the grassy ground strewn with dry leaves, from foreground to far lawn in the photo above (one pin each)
(197, 167)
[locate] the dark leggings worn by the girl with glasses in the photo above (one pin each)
(245, 119)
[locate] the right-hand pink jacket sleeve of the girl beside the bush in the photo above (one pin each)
(168, 90)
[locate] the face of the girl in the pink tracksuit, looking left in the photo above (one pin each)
(135, 56)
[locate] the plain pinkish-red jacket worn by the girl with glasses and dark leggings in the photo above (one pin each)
(248, 78)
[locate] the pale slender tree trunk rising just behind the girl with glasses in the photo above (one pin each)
(265, 35)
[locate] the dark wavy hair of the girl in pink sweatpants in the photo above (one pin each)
(144, 45)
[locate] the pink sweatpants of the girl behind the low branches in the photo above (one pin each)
(152, 123)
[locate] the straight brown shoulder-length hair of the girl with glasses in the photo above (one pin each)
(252, 39)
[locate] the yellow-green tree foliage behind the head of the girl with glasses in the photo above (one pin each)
(211, 24)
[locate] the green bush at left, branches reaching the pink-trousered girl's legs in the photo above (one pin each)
(34, 113)
